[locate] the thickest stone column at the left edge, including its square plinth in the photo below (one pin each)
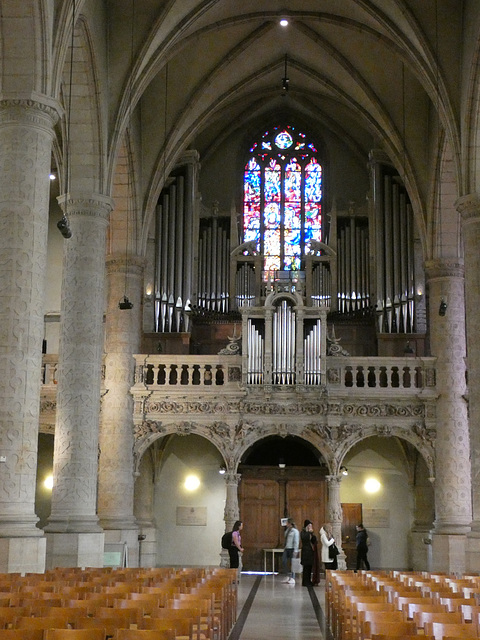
(26, 134)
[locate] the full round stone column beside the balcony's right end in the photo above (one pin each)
(452, 450)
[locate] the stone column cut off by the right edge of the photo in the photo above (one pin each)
(469, 208)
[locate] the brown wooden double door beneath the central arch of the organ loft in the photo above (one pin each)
(268, 495)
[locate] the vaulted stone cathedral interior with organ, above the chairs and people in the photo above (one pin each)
(240, 254)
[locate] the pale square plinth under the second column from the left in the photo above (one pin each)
(75, 550)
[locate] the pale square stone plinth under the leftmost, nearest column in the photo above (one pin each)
(22, 555)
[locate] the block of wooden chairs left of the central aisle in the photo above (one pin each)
(125, 604)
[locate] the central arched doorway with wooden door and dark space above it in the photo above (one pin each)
(280, 477)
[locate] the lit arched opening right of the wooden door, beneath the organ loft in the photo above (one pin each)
(388, 488)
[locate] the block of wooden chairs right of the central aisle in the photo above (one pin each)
(376, 605)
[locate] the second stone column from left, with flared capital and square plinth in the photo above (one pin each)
(74, 536)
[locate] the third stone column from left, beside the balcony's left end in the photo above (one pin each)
(116, 479)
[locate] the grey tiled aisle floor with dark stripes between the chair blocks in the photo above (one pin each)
(267, 608)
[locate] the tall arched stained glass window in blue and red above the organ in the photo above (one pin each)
(282, 202)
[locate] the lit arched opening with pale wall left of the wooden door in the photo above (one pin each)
(180, 501)
